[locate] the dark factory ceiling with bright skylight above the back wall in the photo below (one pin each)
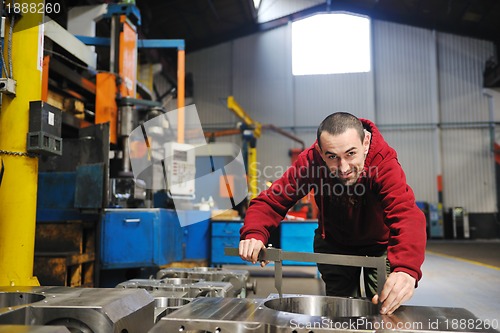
(205, 23)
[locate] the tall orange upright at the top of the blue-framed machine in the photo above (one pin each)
(127, 67)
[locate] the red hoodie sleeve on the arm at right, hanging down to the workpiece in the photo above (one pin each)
(406, 247)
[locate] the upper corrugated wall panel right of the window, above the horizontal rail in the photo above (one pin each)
(402, 65)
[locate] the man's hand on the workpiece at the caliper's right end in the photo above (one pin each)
(398, 288)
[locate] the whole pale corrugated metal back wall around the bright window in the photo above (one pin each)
(419, 78)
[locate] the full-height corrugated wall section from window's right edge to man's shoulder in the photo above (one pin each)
(403, 96)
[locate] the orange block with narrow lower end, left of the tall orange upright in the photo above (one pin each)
(106, 109)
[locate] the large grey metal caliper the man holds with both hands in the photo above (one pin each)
(277, 255)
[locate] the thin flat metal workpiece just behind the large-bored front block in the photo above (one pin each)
(191, 288)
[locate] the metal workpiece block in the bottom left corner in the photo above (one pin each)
(81, 310)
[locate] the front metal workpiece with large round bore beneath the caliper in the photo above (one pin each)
(309, 314)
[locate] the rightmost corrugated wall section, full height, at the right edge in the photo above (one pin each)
(468, 178)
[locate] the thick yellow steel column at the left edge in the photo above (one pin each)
(18, 190)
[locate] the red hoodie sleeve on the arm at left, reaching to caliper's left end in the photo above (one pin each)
(266, 211)
